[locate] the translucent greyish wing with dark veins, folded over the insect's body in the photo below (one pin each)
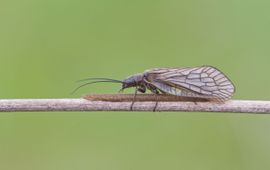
(204, 81)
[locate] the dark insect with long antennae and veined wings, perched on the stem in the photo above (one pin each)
(203, 82)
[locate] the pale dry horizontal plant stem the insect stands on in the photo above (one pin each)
(141, 104)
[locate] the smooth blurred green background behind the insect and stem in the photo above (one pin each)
(46, 45)
